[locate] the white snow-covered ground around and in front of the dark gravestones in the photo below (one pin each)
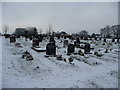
(85, 73)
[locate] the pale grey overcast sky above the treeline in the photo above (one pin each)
(68, 16)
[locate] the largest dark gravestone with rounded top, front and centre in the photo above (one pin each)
(51, 49)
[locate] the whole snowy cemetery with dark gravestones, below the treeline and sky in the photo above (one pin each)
(50, 58)
